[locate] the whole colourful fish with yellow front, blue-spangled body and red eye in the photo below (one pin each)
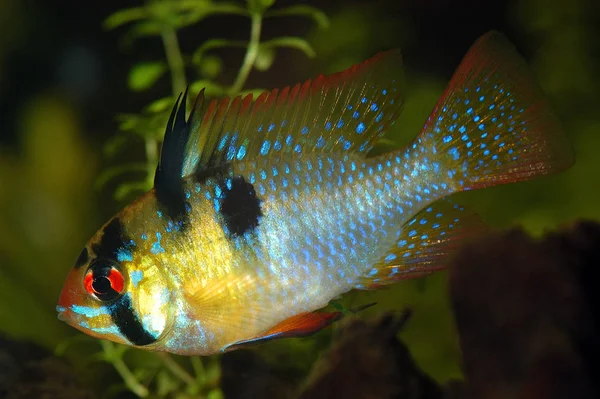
(266, 209)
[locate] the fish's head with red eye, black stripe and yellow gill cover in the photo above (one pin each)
(117, 293)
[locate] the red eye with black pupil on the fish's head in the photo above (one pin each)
(104, 280)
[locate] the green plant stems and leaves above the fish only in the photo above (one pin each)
(163, 18)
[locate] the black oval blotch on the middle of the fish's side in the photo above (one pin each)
(240, 207)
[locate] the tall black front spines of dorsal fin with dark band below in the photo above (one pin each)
(168, 181)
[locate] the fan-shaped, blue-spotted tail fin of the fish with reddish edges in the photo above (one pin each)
(492, 125)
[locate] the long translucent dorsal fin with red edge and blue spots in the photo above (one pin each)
(346, 111)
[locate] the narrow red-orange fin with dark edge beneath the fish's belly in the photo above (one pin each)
(296, 326)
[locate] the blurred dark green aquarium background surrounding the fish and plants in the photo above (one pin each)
(65, 77)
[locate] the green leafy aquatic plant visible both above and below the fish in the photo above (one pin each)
(160, 374)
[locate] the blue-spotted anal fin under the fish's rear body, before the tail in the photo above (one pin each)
(424, 244)
